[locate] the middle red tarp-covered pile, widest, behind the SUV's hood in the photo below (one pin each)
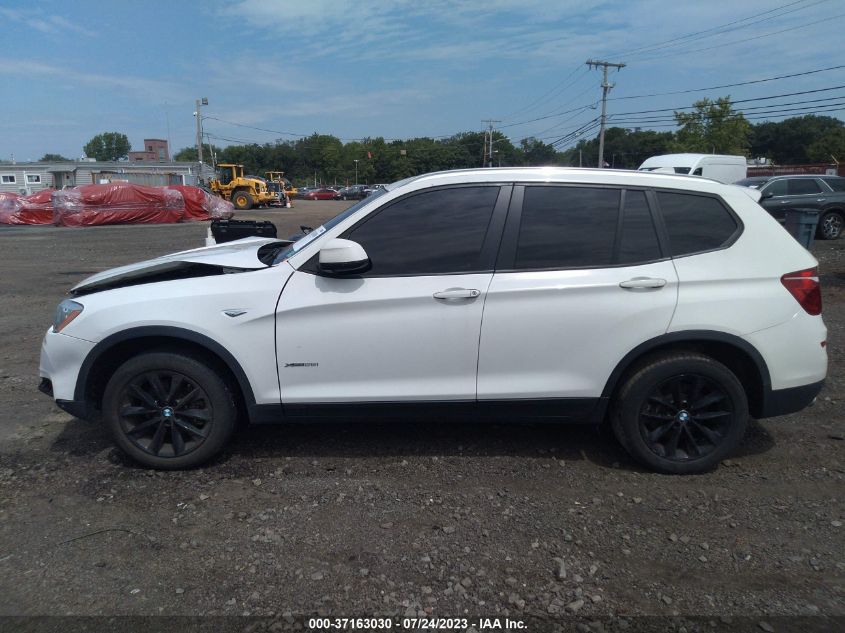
(117, 203)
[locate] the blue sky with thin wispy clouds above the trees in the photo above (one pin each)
(280, 69)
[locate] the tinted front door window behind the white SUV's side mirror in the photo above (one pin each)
(428, 233)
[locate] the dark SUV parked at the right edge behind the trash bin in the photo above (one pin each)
(826, 194)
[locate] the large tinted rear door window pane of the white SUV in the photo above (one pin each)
(567, 227)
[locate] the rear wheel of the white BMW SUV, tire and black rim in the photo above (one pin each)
(680, 413)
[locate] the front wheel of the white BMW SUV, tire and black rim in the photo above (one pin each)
(169, 411)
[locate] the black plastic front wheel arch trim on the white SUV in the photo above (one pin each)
(166, 332)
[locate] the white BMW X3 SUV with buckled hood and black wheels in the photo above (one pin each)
(671, 307)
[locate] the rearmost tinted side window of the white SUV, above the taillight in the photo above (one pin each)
(695, 223)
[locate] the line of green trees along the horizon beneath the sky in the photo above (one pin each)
(710, 127)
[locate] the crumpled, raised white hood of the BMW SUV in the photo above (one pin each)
(236, 256)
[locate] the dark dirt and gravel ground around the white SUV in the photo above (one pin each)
(521, 520)
